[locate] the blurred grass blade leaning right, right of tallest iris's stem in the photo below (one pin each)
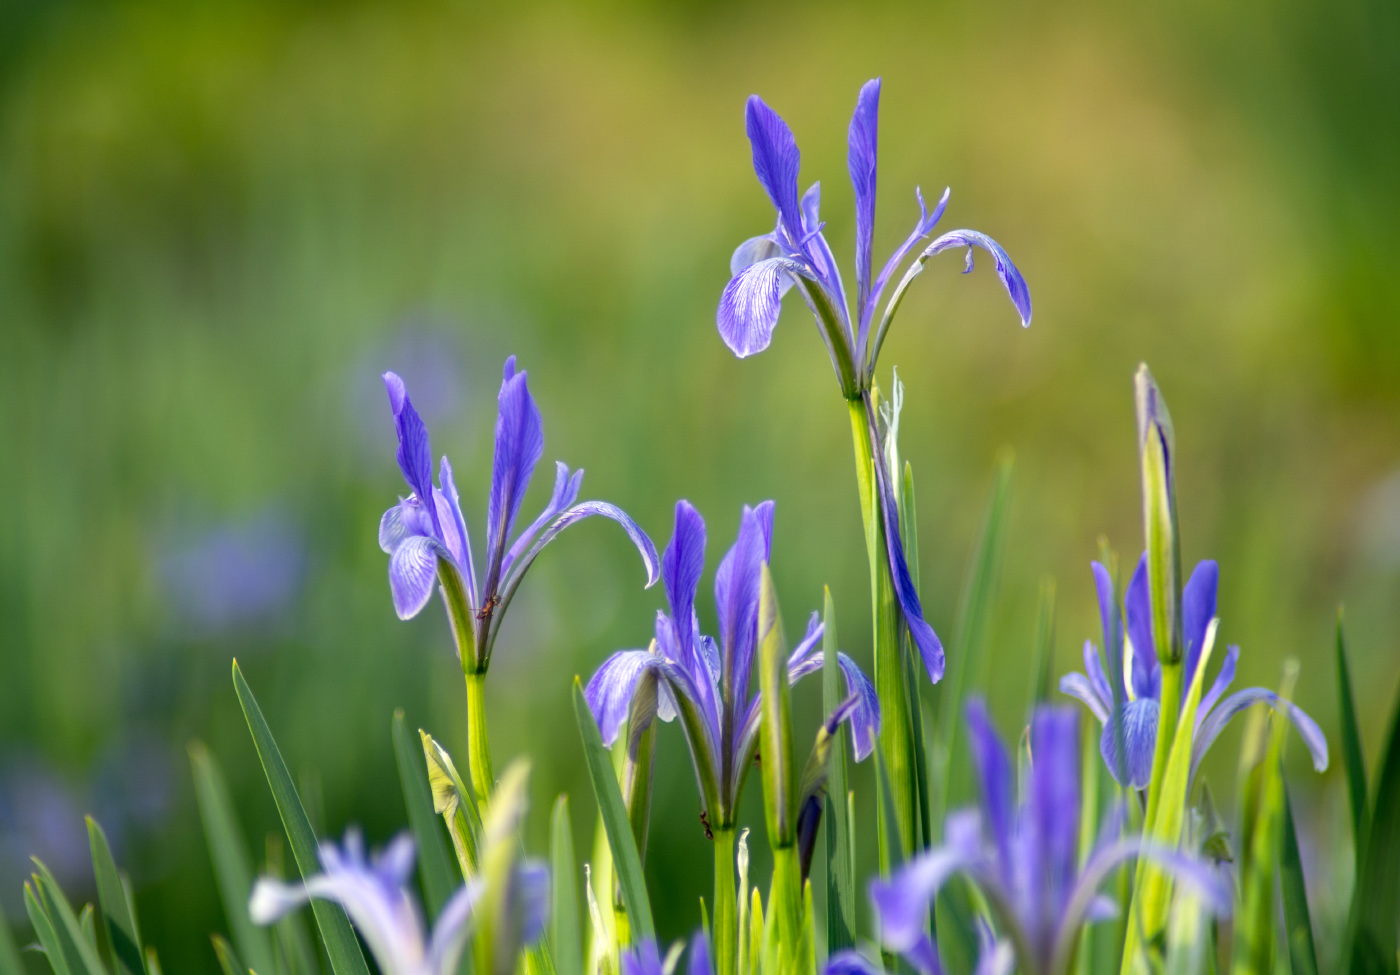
(971, 635)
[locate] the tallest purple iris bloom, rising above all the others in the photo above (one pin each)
(797, 256)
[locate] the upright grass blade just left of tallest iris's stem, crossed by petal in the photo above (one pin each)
(841, 871)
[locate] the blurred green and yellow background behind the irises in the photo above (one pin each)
(220, 222)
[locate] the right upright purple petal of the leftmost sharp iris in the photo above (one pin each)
(520, 442)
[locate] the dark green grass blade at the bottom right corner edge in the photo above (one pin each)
(1375, 906)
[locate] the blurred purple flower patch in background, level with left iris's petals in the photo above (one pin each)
(239, 574)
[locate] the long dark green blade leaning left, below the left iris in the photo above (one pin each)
(337, 934)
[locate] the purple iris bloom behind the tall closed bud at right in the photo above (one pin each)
(1142, 693)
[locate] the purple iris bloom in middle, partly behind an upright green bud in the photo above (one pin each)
(708, 683)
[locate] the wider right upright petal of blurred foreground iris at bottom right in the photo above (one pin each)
(1055, 802)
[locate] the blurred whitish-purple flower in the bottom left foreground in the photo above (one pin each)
(376, 896)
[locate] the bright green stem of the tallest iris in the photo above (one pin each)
(890, 684)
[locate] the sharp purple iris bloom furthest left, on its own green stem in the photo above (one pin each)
(430, 544)
